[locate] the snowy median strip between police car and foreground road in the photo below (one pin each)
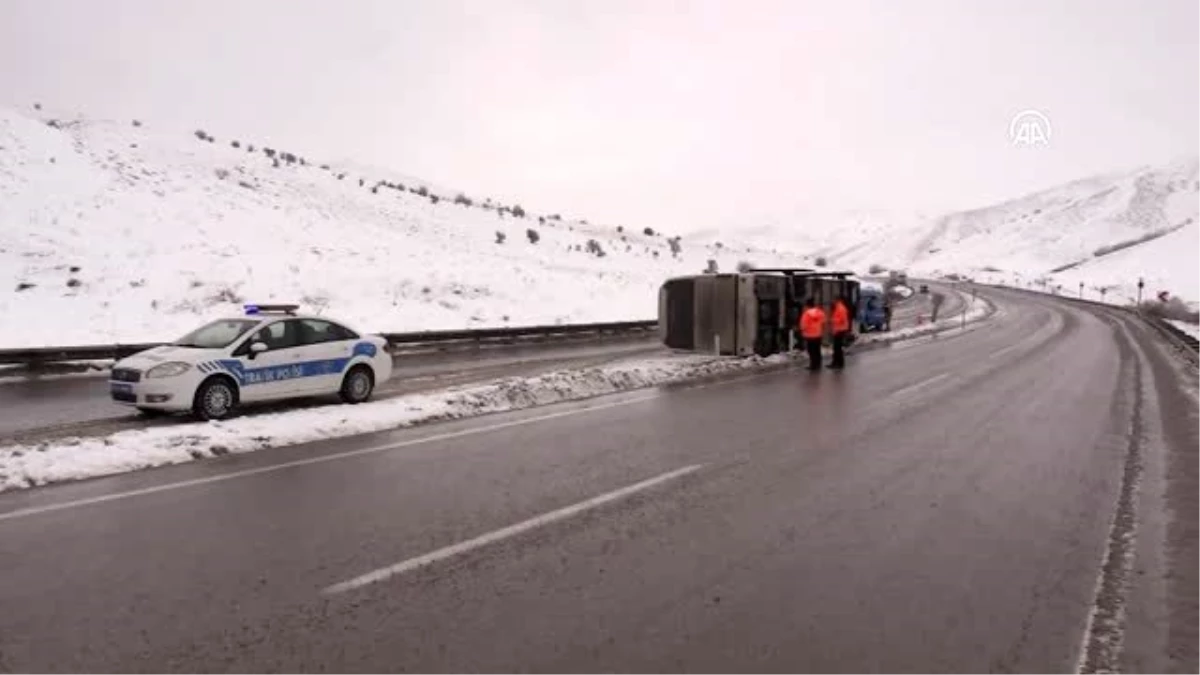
(73, 459)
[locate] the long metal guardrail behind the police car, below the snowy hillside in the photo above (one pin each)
(403, 342)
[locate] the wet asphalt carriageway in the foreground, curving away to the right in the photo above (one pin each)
(940, 507)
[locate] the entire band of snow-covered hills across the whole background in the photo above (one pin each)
(119, 231)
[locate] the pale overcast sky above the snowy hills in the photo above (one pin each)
(644, 112)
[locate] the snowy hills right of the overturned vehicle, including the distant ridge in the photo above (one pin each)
(1107, 231)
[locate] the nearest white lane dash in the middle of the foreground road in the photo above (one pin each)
(412, 564)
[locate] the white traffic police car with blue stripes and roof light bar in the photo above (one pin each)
(269, 354)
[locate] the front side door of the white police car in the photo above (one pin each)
(271, 374)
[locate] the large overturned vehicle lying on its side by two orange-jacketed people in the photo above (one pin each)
(751, 313)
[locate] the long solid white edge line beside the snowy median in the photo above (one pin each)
(373, 450)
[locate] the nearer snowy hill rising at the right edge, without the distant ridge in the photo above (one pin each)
(1105, 232)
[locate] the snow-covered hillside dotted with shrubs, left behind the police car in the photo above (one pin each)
(117, 231)
